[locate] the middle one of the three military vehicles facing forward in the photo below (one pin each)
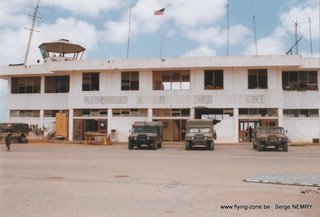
(200, 132)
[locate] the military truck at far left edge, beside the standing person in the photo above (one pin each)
(19, 131)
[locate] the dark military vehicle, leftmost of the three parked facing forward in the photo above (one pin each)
(146, 134)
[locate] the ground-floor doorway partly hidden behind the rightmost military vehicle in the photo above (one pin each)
(246, 127)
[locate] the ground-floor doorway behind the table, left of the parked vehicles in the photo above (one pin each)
(82, 126)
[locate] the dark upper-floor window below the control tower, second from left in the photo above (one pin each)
(57, 84)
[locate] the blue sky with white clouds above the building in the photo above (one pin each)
(187, 28)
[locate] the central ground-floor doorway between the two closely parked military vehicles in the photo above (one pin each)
(174, 130)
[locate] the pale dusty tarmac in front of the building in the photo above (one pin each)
(77, 180)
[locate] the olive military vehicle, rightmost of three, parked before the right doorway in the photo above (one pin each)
(269, 136)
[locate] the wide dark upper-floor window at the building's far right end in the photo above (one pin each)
(299, 80)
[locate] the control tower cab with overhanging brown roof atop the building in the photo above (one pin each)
(61, 50)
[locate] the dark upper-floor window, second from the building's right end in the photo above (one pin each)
(257, 78)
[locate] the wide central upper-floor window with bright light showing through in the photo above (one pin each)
(171, 80)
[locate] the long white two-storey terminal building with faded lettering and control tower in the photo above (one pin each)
(107, 96)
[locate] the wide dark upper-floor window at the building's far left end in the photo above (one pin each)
(25, 85)
